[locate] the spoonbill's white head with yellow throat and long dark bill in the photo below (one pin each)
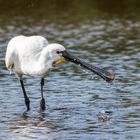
(59, 55)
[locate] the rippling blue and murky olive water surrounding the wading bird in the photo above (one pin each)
(104, 33)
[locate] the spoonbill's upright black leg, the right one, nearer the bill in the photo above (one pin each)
(42, 102)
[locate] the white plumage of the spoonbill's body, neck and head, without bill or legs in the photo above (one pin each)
(31, 55)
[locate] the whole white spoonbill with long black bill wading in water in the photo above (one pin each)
(34, 56)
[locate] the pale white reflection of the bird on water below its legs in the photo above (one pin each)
(31, 127)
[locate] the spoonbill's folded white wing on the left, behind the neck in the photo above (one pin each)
(22, 49)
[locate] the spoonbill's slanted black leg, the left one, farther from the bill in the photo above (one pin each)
(27, 101)
